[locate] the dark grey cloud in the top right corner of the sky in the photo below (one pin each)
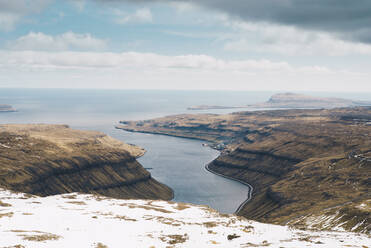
(350, 19)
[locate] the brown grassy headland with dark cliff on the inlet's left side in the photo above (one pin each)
(54, 159)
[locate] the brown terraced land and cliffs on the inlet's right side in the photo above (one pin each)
(300, 162)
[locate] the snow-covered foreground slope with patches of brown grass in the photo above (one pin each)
(76, 220)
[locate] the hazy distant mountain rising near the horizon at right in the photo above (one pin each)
(291, 100)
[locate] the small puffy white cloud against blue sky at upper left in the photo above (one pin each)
(65, 41)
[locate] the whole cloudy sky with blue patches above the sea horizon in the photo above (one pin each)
(296, 45)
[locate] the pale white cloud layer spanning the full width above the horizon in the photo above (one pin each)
(133, 70)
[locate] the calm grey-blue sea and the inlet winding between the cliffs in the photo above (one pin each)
(177, 162)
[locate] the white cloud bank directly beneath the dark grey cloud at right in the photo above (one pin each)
(268, 38)
